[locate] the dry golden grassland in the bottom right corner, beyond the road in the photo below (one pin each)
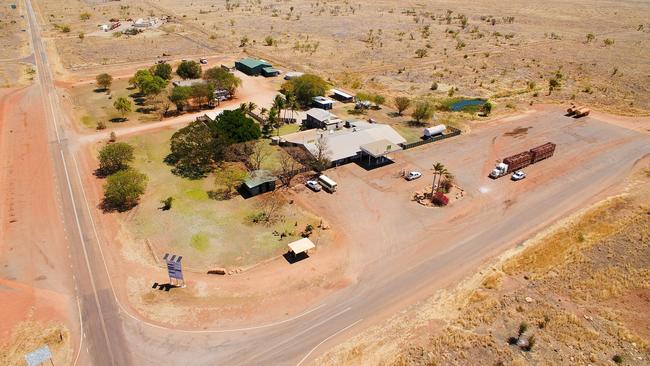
(581, 288)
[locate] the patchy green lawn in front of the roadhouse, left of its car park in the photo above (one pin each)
(208, 233)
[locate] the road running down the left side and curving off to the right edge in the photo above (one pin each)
(112, 336)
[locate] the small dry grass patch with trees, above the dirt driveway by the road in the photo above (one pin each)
(92, 106)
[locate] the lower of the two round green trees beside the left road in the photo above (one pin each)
(123, 189)
